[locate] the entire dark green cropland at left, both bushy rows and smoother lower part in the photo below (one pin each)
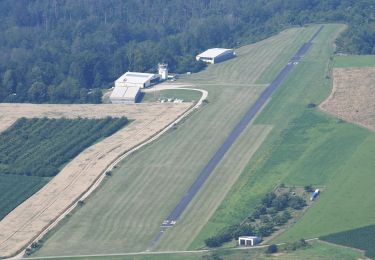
(35, 148)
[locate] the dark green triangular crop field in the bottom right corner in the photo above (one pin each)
(361, 238)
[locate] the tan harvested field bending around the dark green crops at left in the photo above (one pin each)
(25, 222)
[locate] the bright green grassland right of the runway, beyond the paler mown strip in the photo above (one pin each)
(305, 147)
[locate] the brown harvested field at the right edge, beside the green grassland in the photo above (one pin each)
(353, 96)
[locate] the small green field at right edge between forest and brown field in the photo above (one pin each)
(354, 61)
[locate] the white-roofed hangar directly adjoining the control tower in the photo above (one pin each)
(137, 79)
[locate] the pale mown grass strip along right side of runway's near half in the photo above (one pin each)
(210, 196)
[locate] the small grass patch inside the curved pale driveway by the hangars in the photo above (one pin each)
(185, 95)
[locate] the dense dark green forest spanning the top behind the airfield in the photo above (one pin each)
(65, 51)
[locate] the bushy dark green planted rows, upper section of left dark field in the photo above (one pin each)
(41, 146)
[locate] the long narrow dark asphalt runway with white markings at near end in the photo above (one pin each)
(246, 119)
